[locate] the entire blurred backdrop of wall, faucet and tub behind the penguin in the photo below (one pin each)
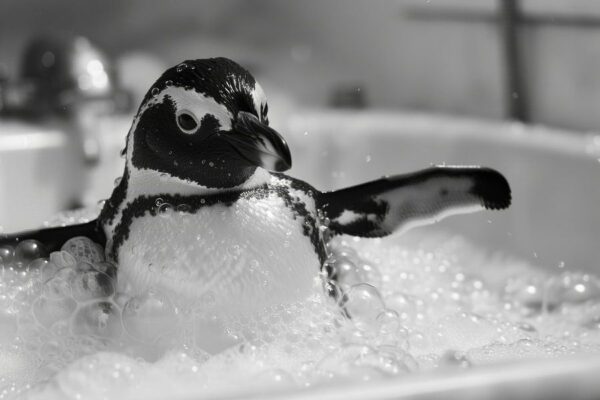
(359, 88)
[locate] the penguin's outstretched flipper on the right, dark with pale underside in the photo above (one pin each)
(401, 202)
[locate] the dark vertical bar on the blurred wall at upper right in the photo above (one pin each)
(516, 97)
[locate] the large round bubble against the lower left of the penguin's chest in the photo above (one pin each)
(149, 317)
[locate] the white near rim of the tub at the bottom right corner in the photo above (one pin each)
(575, 371)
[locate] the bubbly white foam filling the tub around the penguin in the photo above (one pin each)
(404, 304)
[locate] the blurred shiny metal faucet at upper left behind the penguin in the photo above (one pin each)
(65, 80)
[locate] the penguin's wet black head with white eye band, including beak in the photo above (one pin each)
(206, 121)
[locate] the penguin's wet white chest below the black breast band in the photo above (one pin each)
(245, 256)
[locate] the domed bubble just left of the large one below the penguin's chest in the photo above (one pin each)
(99, 319)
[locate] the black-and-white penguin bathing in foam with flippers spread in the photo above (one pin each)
(203, 209)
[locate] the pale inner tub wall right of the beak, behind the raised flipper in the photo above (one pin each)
(554, 175)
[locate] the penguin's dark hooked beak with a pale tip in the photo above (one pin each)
(259, 144)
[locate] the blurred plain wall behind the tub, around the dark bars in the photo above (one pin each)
(302, 50)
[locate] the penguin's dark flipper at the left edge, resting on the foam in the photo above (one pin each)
(54, 238)
